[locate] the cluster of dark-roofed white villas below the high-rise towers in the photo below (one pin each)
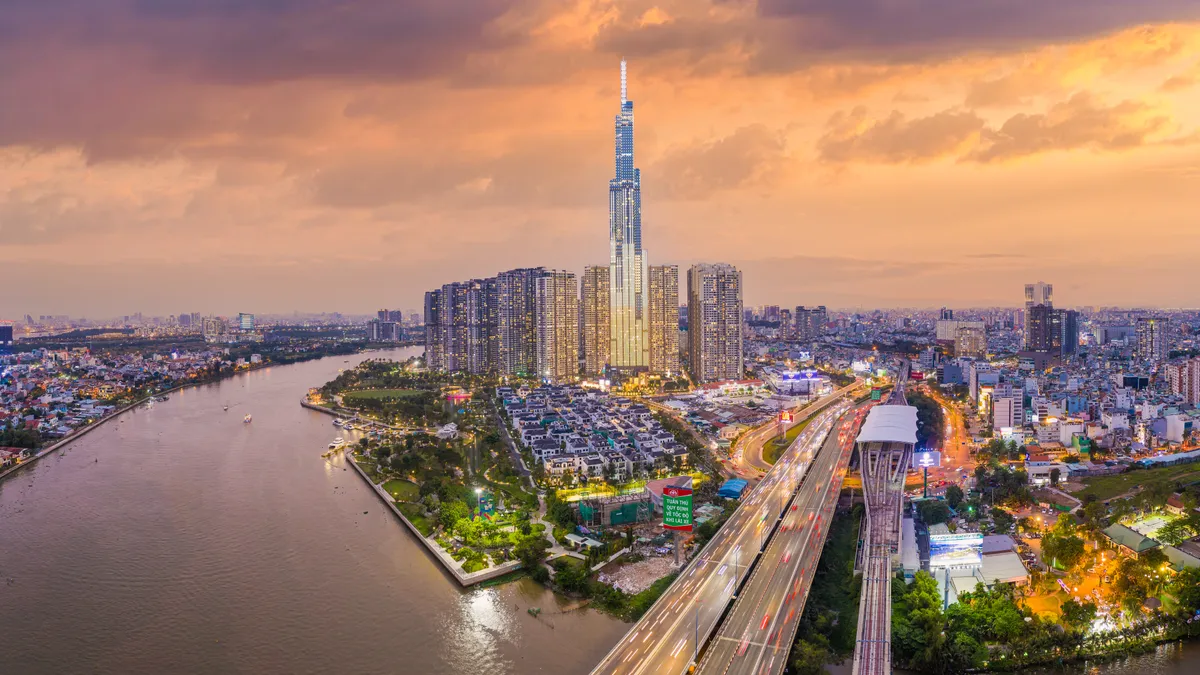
(587, 433)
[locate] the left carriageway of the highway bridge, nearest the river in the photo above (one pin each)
(667, 638)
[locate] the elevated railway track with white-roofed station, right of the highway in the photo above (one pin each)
(885, 447)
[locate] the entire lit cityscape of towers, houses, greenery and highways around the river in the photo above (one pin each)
(983, 488)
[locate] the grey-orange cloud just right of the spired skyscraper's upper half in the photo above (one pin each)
(748, 157)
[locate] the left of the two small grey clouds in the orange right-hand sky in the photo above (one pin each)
(897, 140)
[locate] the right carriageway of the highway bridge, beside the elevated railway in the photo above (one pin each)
(757, 637)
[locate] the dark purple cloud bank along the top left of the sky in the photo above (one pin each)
(253, 41)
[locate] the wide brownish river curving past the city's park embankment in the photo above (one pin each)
(179, 540)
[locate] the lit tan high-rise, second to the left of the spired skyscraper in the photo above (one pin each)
(557, 326)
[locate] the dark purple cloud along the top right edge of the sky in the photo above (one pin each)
(921, 27)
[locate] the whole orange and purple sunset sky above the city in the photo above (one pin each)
(346, 156)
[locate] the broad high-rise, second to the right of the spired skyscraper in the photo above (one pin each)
(715, 322)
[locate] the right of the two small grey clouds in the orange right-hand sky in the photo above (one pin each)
(1081, 122)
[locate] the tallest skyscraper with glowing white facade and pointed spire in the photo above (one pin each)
(627, 261)
